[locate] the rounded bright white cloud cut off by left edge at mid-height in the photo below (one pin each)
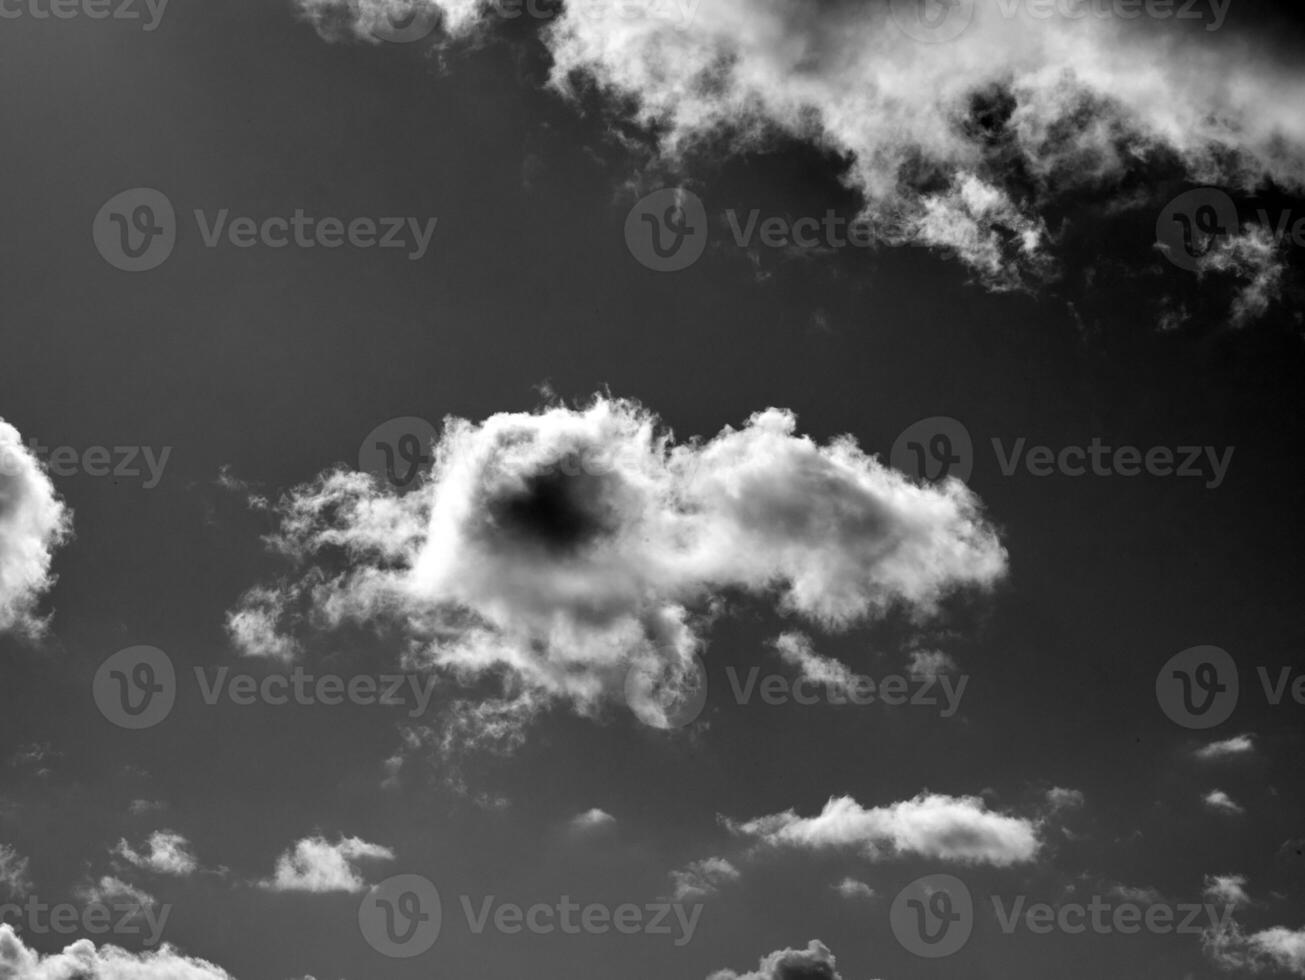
(33, 524)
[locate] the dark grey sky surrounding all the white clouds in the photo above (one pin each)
(277, 363)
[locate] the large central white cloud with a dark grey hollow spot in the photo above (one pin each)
(559, 550)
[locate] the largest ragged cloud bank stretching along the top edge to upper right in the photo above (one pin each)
(964, 147)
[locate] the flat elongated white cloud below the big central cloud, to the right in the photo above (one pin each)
(944, 828)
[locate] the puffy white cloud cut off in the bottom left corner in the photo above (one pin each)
(84, 961)
